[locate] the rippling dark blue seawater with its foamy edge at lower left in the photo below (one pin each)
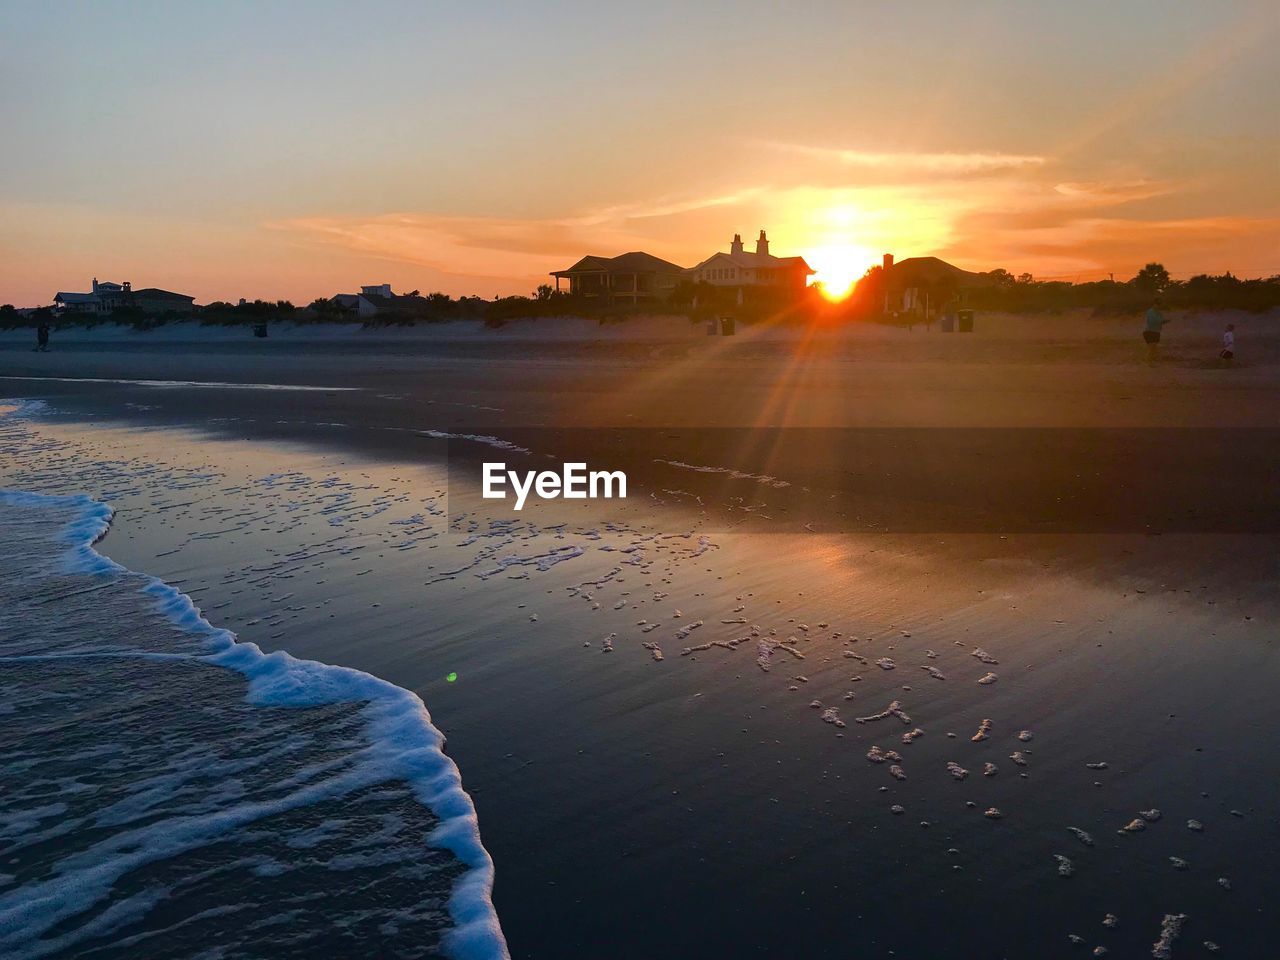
(170, 792)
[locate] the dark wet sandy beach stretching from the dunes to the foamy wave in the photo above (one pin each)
(701, 804)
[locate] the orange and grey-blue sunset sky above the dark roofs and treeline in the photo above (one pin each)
(298, 150)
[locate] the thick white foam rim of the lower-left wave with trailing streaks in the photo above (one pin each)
(403, 747)
